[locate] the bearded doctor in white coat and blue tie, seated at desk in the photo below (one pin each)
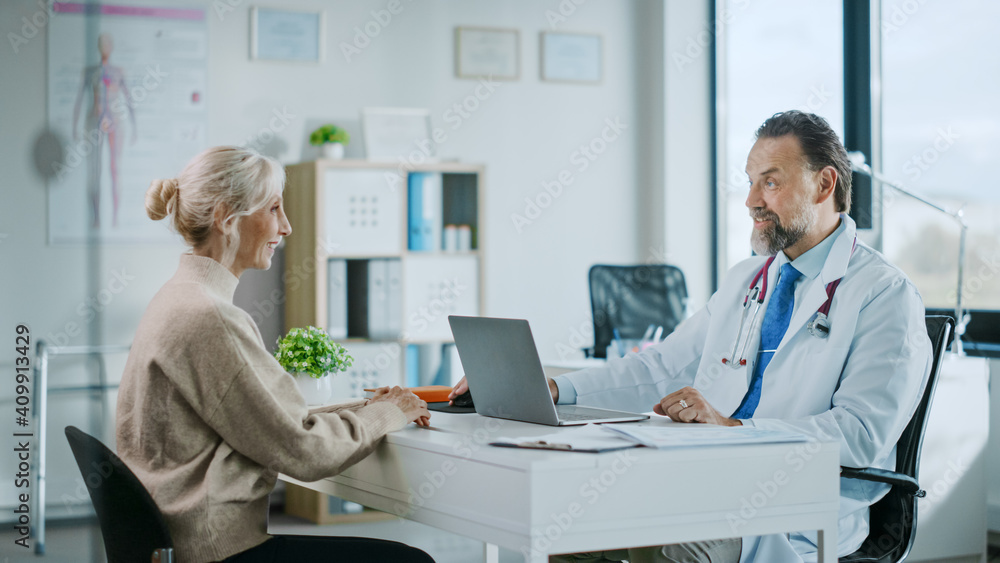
(838, 349)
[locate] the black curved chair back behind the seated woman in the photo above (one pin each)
(131, 523)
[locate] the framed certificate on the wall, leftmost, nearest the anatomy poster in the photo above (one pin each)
(286, 35)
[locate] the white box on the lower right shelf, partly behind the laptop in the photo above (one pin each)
(438, 286)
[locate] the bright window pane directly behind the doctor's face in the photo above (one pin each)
(775, 55)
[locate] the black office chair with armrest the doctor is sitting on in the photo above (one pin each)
(893, 520)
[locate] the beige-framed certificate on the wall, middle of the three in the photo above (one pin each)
(484, 52)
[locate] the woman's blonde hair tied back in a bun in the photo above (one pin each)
(234, 181)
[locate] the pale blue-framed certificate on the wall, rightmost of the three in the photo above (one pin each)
(571, 57)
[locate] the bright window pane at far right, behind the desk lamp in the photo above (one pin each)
(940, 138)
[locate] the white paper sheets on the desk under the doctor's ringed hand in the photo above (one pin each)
(687, 436)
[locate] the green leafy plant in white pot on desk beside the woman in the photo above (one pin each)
(312, 357)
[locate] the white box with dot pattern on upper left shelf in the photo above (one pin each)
(363, 212)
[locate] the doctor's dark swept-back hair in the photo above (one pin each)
(820, 145)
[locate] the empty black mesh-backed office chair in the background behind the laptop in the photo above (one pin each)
(630, 298)
